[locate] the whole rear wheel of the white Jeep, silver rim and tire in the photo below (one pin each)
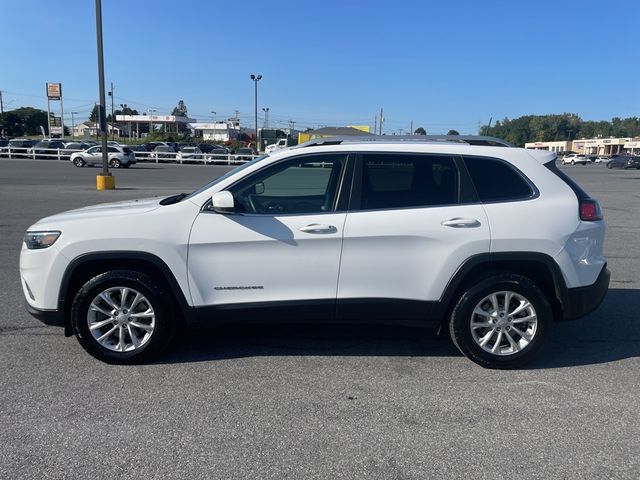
(501, 322)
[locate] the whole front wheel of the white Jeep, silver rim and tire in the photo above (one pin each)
(122, 317)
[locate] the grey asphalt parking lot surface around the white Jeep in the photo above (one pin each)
(321, 402)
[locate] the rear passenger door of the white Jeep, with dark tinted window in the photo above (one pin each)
(412, 223)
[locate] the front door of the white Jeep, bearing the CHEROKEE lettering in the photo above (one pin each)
(281, 248)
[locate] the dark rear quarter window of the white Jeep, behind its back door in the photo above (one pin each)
(497, 181)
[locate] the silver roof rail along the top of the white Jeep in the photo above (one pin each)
(466, 139)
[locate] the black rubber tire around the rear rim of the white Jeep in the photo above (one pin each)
(462, 315)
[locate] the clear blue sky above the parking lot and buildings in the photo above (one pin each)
(437, 65)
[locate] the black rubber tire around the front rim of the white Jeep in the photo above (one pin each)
(163, 307)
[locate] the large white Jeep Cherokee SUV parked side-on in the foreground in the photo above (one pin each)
(490, 242)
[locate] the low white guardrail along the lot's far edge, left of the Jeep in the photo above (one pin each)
(155, 157)
